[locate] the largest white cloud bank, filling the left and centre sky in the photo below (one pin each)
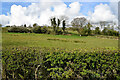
(41, 12)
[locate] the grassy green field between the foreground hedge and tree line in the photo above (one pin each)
(56, 41)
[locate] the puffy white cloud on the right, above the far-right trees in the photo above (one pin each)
(102, 12)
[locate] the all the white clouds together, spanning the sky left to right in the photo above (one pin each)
(41, 12)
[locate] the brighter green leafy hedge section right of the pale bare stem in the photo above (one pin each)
(79, 65)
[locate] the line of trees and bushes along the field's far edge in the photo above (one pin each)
(58, 26)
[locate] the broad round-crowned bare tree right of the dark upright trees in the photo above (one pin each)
(79, 23)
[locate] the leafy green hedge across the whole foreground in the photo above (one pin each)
(43, 64)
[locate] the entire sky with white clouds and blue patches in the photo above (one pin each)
(18, 13)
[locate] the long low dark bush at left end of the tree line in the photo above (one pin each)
(19, 30)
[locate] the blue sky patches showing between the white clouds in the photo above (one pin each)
(85, 8)
